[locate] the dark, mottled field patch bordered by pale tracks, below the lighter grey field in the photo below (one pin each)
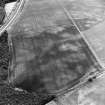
(51, 62)
